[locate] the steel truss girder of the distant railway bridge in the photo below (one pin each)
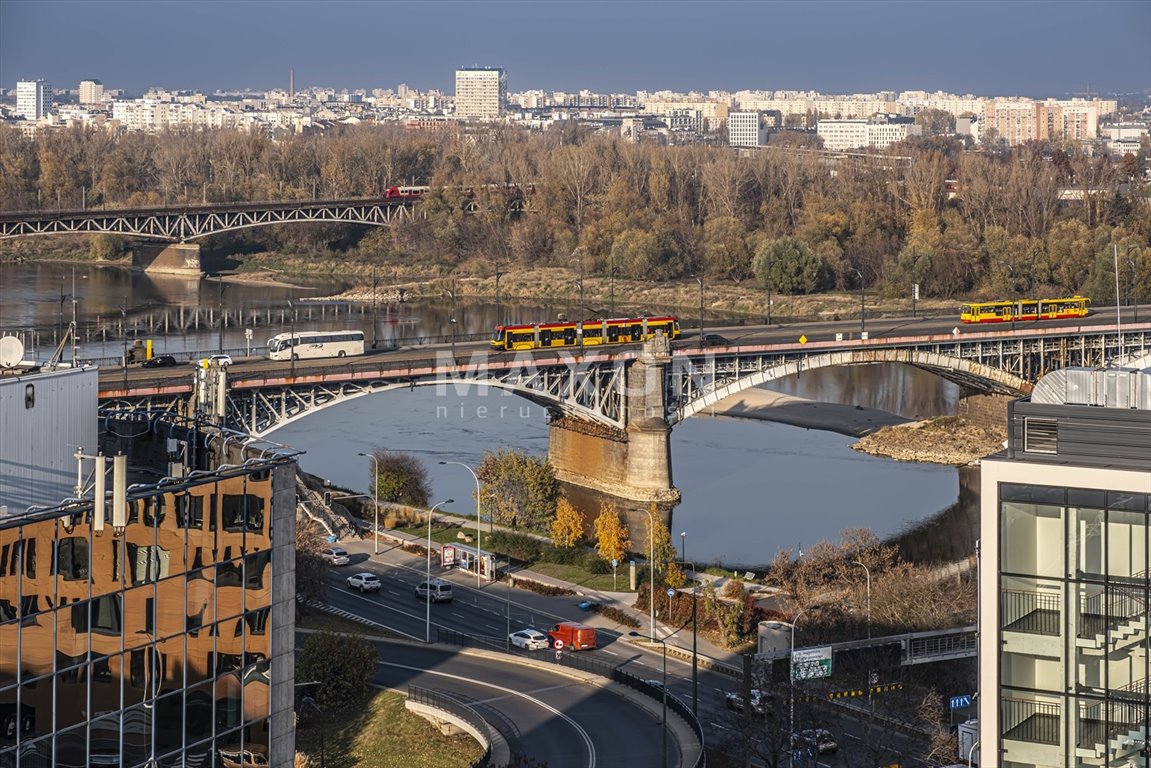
(201, 222)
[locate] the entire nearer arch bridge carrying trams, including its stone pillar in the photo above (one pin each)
(613, 409)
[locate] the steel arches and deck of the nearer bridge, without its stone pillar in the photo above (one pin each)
(594, 387)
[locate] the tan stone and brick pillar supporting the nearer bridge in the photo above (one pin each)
(634, 463)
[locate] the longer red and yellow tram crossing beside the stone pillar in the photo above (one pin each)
(588, 333)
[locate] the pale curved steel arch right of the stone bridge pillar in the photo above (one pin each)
(969, 375)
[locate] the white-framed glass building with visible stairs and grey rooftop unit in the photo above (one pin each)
(1064, 589)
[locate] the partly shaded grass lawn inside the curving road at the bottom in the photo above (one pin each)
(385, 735)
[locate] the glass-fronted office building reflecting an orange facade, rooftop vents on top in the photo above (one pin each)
(149, 619)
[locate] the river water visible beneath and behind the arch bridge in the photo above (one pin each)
(750, 488)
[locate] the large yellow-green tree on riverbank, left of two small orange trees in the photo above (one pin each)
(522, 489)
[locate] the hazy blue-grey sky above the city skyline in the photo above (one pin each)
(988, 48)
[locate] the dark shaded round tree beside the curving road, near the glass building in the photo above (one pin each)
(344, 665)
